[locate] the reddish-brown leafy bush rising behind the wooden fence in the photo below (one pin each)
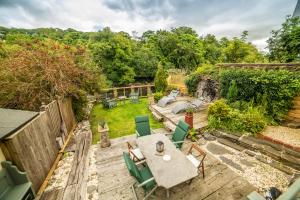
(33, 71)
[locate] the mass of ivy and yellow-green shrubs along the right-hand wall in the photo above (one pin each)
(252, 98)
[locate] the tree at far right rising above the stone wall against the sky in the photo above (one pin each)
(284, 44)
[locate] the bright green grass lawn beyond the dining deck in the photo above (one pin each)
(121, 118)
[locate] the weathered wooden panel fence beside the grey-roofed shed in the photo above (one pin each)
(34, 147)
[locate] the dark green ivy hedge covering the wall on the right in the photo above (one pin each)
(278, 87)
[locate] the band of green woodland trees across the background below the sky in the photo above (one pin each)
(125, 59)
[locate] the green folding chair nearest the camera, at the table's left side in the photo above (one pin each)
(143, 176)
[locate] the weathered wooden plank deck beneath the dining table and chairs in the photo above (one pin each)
(114, 179)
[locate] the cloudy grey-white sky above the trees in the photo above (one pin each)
(227, 18)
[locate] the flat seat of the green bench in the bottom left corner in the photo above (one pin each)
(17, 192)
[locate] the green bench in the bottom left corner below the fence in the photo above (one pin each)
(14, 184)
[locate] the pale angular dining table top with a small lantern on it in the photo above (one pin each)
(166, 173)
